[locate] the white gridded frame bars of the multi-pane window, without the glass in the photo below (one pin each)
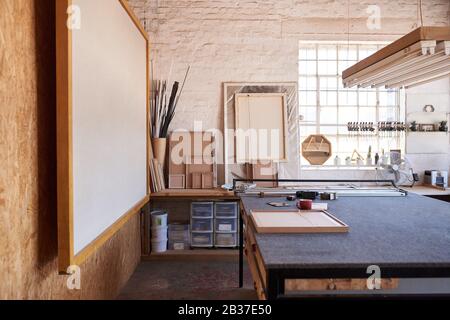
(398, 107)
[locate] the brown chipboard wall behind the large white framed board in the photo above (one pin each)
(28, 250)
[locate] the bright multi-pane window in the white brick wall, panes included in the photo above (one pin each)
(326, 107)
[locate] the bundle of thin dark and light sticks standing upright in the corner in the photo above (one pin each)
(163, 106)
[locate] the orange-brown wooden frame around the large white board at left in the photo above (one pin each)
(66, 256)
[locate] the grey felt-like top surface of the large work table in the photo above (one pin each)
(412, 231)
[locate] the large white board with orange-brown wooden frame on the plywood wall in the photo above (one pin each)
(102, 119)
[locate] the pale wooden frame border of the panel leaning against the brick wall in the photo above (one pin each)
(284, 131)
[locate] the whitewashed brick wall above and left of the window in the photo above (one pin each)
(257, 40)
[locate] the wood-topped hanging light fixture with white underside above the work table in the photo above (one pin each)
(417, 58)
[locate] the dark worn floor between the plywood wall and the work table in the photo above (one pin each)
(208, 279)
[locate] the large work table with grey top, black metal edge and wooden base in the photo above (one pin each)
(407, 237)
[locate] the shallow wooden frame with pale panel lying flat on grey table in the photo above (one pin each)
(297, 222)
